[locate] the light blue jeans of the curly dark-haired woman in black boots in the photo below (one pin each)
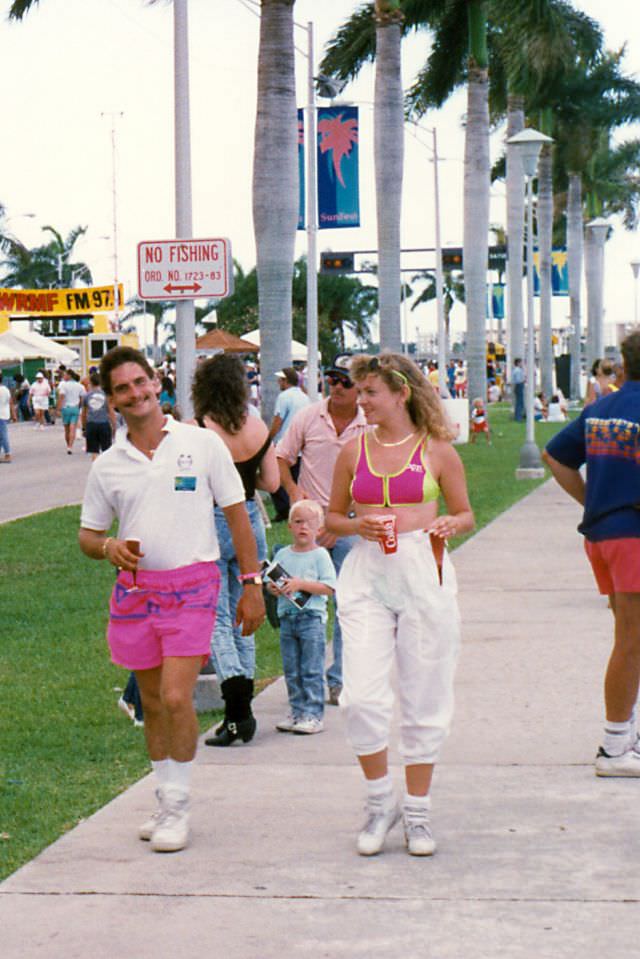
(232, 653)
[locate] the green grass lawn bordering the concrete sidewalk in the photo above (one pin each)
(65, 749)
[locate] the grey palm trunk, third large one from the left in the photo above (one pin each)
(476, 226)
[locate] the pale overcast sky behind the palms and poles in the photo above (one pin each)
(72, 64)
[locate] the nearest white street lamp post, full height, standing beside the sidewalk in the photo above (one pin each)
(529, 143)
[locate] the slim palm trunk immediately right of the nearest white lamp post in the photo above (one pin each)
(545, 240)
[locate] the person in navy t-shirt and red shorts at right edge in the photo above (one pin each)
(606, 436)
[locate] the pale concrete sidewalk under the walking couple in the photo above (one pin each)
(536, 857)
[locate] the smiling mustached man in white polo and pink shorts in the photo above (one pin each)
(159, 479)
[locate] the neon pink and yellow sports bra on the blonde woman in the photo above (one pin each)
(412, 486)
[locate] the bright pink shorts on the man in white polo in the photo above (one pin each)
(172, 613)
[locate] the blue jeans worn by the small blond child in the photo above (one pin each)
(302, 644)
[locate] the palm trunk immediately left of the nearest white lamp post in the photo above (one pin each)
(515, 233)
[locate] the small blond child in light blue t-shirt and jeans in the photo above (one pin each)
(308, 579)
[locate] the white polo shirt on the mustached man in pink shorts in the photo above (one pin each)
(166, 502)
